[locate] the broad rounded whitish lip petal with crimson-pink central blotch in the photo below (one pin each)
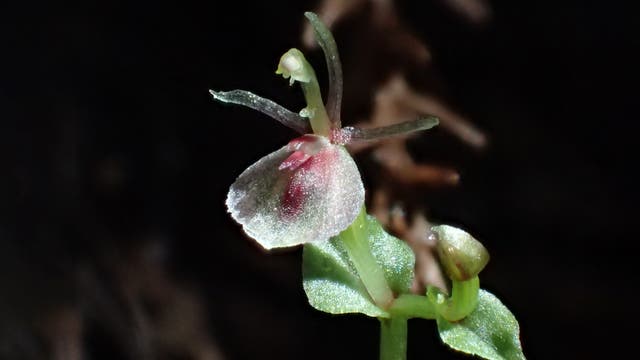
(317, 200)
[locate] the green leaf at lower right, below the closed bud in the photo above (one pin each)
(490, 331)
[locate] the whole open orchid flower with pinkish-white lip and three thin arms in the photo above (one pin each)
(310, 189)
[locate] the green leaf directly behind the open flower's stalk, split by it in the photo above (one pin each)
(332, 283)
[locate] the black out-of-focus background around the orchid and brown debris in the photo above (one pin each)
(115, 162)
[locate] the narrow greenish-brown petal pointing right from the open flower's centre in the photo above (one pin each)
(352, 134)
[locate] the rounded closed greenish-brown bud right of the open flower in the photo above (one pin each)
(461, 256)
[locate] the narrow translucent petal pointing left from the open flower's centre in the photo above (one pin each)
(265, 106)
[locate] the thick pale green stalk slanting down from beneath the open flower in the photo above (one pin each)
(355, 241)
